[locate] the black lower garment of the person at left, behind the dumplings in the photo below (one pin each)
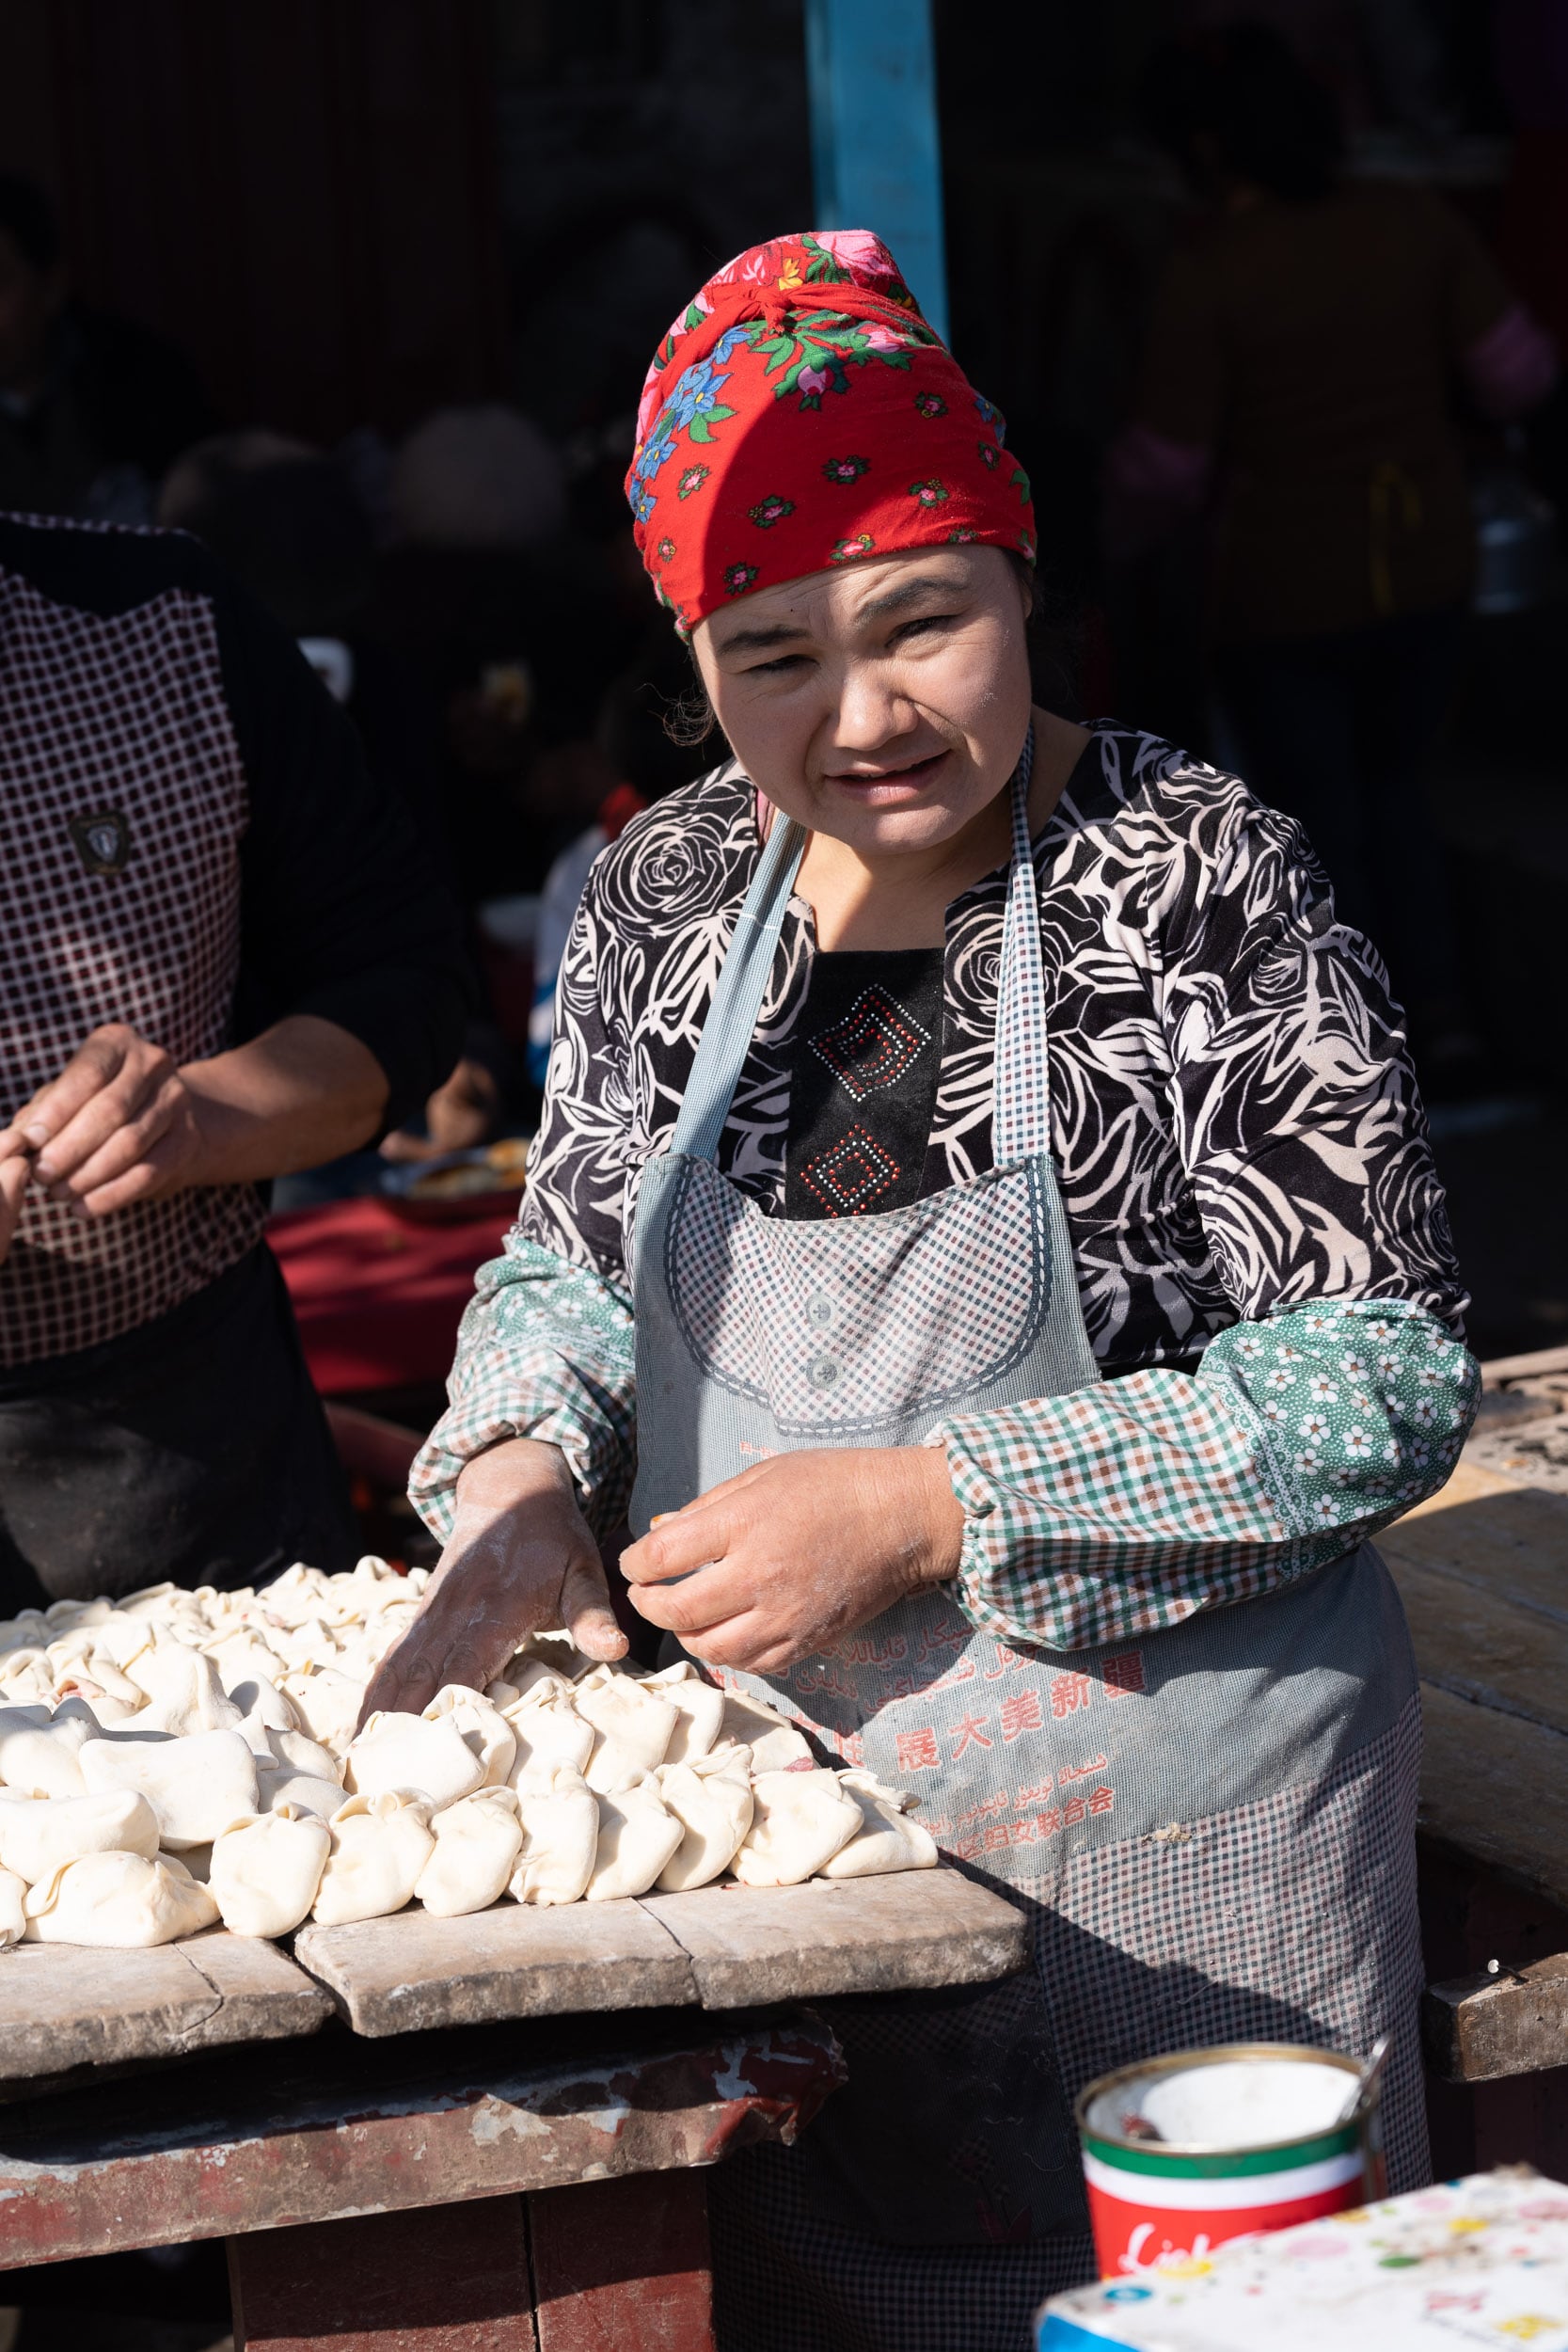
(192, 1450)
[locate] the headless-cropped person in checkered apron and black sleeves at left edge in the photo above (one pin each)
(220, 961)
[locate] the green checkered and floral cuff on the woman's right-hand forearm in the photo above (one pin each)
(1130, 1506)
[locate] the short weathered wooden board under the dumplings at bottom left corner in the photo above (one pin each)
(67, 2007)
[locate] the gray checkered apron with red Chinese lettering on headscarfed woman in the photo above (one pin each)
(1212, 1829)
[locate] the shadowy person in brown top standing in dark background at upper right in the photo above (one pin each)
(1301, 377)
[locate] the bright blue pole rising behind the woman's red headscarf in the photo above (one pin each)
(876, 145)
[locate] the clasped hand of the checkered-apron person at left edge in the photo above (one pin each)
(114, 1128)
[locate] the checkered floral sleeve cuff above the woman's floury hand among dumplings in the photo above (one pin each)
(544, 1351)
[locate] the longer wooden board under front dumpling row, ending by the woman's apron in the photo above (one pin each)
(716, 1949)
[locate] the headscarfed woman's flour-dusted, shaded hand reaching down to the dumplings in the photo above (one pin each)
(521, 1561)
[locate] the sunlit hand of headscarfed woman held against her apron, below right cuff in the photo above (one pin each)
(798, 1553)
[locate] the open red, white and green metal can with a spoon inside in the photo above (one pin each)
(1257, 2149)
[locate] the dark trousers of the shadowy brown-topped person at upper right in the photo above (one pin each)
(1336, 733)
